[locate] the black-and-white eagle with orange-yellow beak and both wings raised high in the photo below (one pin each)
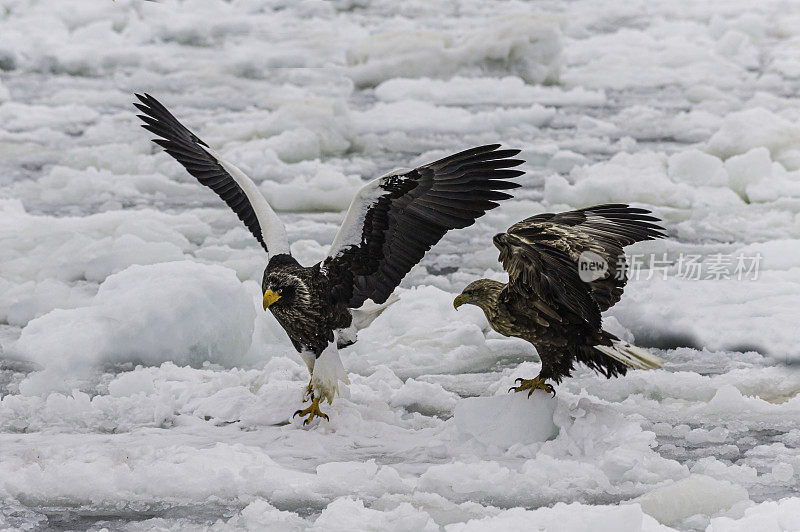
(392, 221)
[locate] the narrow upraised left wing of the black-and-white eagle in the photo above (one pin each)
(230, 184)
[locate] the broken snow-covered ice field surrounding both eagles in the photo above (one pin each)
(142, 387)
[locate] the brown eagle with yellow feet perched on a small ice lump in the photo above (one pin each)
(546, 301)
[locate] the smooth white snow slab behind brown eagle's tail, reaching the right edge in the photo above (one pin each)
(718, 314)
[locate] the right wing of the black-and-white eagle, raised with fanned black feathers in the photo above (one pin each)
(395, 219)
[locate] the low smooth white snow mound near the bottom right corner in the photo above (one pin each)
(696, 494)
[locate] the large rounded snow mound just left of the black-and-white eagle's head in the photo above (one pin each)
(182, 312)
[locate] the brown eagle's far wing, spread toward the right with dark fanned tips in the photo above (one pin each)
(602, 229)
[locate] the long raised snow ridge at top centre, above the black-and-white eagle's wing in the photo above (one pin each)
(527, 45)
